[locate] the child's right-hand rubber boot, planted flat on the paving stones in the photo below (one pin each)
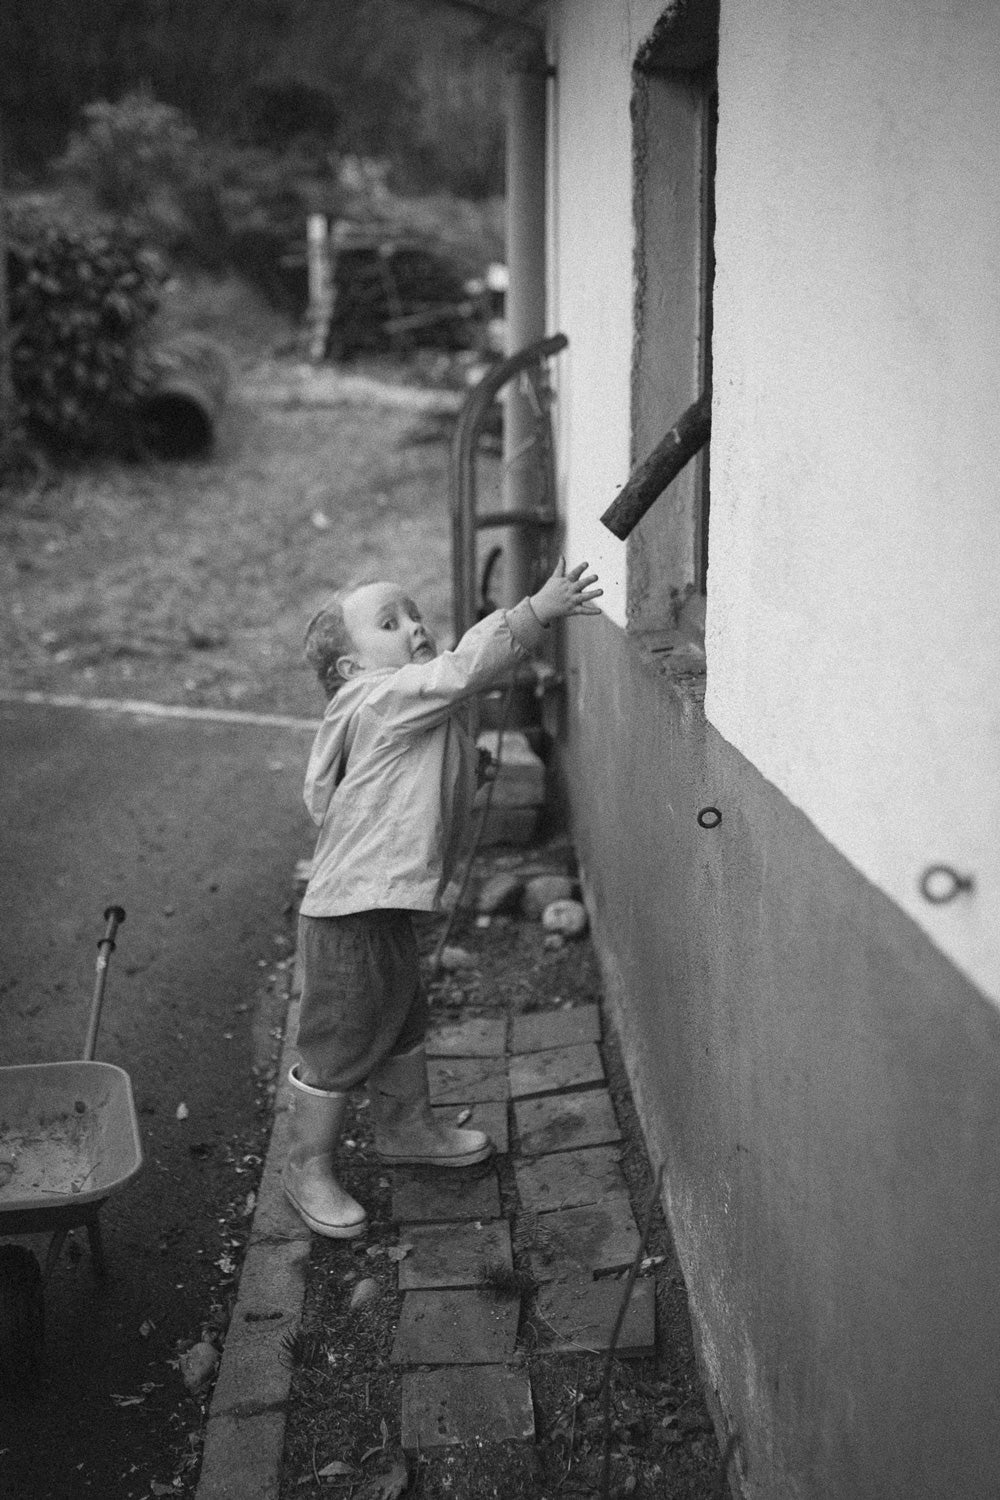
(407, 1132)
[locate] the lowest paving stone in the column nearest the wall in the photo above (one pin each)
(581, 1316)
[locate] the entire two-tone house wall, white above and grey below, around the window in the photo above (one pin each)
(809, 1051)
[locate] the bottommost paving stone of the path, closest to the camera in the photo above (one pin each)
(475, 1403)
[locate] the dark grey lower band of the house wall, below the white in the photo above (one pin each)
(824, 1088)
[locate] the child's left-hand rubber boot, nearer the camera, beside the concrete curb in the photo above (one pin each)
(308, 1175)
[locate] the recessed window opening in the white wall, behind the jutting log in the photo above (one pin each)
(675, 112)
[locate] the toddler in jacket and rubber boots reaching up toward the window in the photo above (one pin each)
(391, 784)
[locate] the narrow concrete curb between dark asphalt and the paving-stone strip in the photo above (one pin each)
(245, 1435)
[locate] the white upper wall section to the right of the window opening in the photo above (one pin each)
(854, 635)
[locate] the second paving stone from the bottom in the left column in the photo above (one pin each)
(455, 1328)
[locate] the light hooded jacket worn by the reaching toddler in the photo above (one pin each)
(392, 772)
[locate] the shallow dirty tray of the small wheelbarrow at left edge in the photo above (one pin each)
(68, 1141)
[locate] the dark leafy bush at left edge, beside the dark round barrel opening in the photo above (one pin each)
(82, 304)
